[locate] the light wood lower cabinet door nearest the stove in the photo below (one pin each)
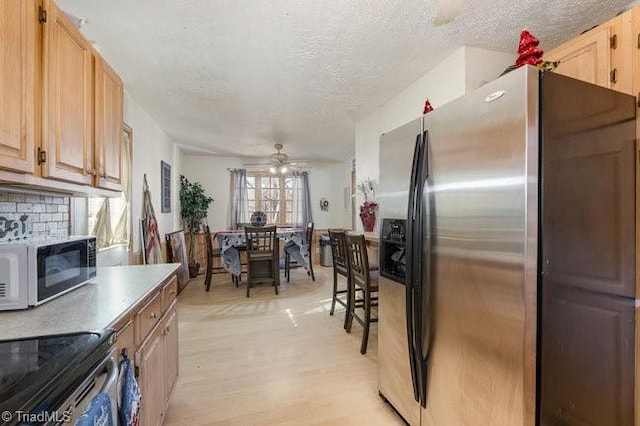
(150, 360)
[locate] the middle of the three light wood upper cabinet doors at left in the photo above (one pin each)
(68, 98)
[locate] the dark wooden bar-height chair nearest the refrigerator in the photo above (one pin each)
(364, 279)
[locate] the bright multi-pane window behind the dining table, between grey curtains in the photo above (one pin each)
(272, 194)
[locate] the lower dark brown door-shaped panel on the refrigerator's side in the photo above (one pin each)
(587, 358)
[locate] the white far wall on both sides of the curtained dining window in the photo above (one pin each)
(325, 181)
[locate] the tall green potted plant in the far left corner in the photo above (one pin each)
(194, 204)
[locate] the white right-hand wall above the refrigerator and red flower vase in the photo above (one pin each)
(464, 70)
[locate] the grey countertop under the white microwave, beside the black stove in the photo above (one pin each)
(93, 306)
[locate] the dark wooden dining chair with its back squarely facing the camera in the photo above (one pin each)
(262, 256)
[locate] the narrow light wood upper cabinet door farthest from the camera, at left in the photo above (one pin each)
(108, 125)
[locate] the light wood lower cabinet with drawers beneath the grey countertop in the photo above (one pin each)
(149, 333)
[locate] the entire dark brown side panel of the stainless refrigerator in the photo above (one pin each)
(587, 261)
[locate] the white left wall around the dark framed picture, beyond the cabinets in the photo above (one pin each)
(151, 145)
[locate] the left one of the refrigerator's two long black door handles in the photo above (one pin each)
(411, 261)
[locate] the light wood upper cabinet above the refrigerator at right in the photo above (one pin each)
(600, 56)
